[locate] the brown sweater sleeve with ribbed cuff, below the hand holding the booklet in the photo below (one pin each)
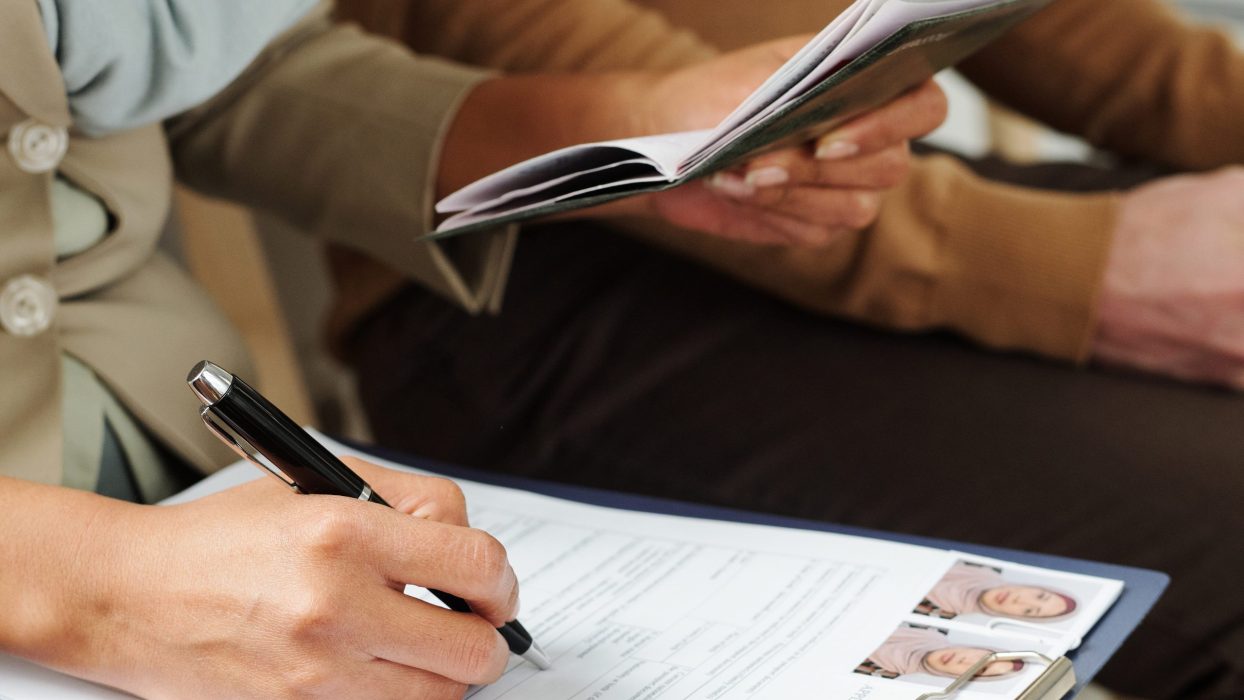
(1010, 268)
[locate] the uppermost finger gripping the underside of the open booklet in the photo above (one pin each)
(911, 116)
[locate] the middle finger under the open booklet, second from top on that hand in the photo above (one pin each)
(789, 167)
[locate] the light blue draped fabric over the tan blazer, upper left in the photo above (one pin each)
(136, 63)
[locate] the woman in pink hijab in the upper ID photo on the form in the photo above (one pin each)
(972, 589)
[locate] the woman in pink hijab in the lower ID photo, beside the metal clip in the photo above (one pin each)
(914, 651)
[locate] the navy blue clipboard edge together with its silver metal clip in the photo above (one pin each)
(1063, 678)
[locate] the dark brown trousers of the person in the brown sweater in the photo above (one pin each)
(620, 367)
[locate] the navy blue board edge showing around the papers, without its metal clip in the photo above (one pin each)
(1141, 587)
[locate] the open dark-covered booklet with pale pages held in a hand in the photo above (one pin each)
(873, 53)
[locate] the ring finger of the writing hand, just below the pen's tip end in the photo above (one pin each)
(460, 647)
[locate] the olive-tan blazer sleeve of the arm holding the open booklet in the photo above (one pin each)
(339, 134)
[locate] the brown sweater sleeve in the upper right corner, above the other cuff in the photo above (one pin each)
(1131, 76)
